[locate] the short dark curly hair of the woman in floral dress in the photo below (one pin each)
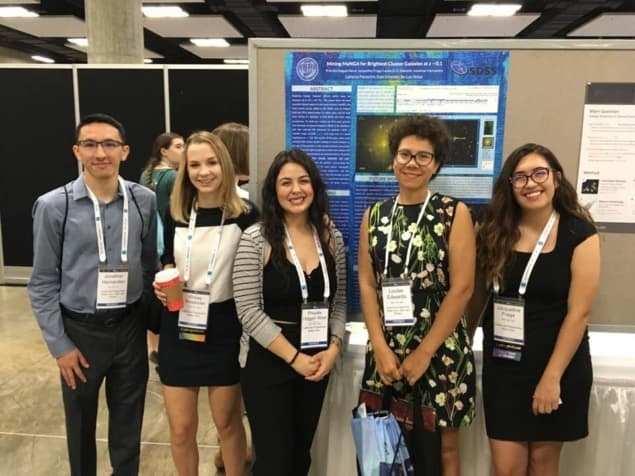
(425, 127)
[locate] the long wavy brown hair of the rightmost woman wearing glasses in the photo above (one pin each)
(498, 230)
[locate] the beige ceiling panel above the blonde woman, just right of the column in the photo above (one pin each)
(201, 26)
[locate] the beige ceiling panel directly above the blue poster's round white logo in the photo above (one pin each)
(358, 26)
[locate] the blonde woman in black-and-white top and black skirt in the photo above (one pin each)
(199, 345)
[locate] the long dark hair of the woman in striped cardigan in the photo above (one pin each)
(273, 214)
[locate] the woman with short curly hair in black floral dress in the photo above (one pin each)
(420, 247)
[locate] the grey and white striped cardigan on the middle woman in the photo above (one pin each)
(247, 278)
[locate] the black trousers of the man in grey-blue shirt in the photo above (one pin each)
(118, 355)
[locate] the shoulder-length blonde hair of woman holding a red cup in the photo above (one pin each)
(184, 192)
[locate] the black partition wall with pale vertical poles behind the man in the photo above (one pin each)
(41, 105)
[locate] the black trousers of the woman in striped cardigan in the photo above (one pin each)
(283, 411)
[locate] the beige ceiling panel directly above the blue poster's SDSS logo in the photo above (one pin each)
(462, 26)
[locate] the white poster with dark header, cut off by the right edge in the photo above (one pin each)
(606, 174)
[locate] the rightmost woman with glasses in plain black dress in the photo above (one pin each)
(536, 364)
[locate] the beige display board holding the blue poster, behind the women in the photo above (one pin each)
(336, 99)
